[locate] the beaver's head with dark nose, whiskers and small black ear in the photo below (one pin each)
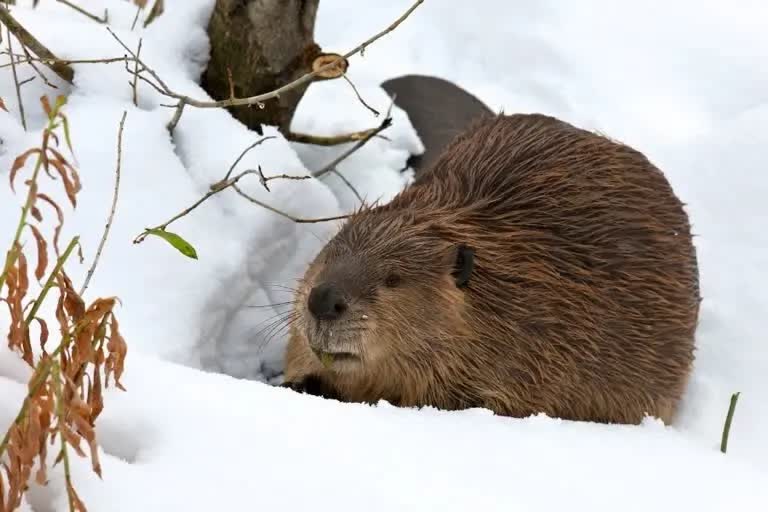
(386, 277)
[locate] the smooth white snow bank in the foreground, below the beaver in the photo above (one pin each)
(208, 442)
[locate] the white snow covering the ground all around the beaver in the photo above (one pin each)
(682, 82)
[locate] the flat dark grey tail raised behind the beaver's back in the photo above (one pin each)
(438, 110)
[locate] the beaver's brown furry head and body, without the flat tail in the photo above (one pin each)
(536, 267)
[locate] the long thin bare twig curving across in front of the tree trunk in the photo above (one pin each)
(184, 100)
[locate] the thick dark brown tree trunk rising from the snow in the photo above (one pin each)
(265, 44)
